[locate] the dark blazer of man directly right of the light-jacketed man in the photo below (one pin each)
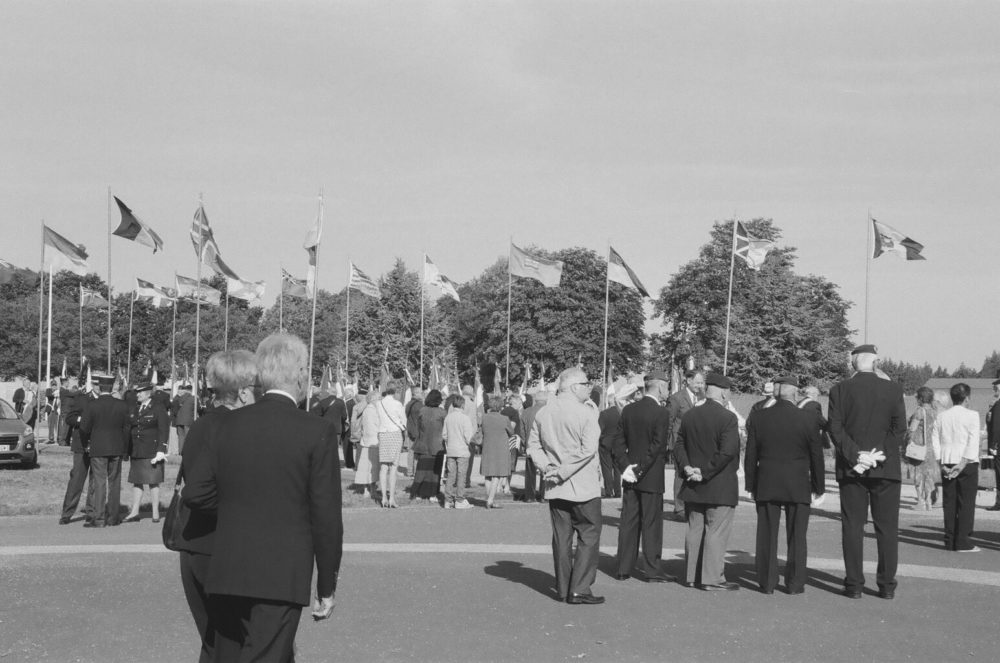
(641, 439)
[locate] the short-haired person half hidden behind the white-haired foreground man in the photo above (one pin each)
(231, 375)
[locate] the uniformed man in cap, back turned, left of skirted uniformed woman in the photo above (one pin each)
(104, 430)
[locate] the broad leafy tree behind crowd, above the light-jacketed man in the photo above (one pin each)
(555, 326)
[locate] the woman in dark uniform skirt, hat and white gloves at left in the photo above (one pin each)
(148, 452)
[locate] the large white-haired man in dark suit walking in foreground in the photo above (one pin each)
(270, 475)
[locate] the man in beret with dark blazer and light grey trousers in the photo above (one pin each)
(708, 451)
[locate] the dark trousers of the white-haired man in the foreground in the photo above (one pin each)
(249, 629)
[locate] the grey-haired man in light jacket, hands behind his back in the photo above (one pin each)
(563, 445)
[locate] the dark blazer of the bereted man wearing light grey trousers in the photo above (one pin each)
(709, 439)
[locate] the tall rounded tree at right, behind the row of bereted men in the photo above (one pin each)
(781, 322)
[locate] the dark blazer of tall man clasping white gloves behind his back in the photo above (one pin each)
(867, 412)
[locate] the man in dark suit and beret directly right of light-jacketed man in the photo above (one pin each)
(639, 450)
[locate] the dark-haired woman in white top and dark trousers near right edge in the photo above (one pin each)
(955, 440)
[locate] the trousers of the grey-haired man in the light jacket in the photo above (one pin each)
(575, 573)
